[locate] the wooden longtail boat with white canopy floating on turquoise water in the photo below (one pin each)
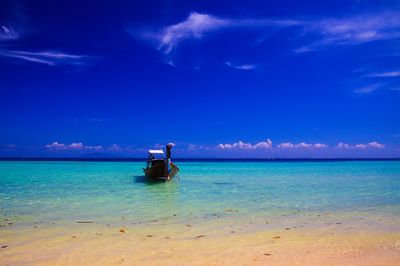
(159, 167)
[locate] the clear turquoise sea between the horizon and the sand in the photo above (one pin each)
(113, 192)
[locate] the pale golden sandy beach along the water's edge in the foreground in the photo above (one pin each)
(108, 245)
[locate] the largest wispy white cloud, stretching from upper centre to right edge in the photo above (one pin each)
(351, 30)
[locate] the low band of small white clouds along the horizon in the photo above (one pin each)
(237, 149)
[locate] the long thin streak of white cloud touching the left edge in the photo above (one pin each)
(50, 58)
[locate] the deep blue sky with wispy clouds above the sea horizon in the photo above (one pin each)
(228, 79)
